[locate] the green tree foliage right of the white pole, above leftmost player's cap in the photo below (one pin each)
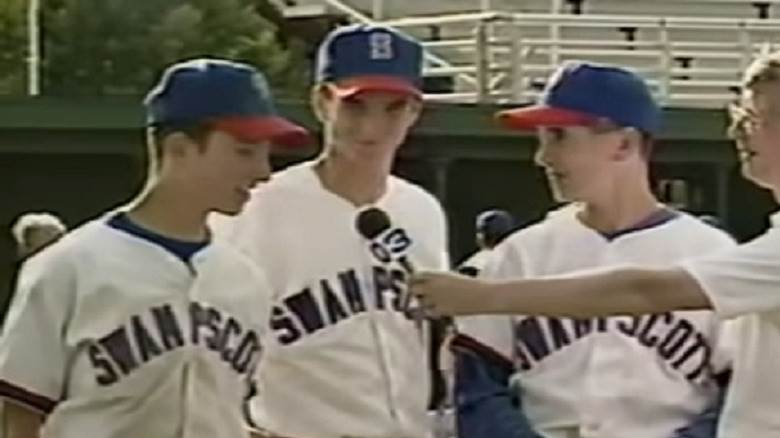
(108, 47)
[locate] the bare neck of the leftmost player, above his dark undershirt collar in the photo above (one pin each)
(171, 213)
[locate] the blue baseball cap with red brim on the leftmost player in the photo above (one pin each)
(230, 96)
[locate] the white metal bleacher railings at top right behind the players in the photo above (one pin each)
(502, 57)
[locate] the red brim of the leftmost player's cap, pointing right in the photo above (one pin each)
(273, 129)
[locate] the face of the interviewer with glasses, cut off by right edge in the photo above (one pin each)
(755, 129)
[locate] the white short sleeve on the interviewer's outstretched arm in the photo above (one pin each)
(741, 280)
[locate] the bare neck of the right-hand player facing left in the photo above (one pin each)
(625, 206)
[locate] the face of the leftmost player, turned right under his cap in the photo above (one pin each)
(219, 172)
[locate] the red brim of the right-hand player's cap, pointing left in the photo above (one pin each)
(536, 116)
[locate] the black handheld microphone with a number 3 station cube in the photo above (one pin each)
(386, 244)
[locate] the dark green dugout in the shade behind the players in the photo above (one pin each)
(79, 157)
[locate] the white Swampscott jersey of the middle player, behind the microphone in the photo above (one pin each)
(342, 360)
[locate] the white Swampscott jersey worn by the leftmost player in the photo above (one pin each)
(113, 336)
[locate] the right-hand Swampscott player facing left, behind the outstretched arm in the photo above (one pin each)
(645, 377)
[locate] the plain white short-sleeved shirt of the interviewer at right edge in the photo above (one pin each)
(744, 282)
